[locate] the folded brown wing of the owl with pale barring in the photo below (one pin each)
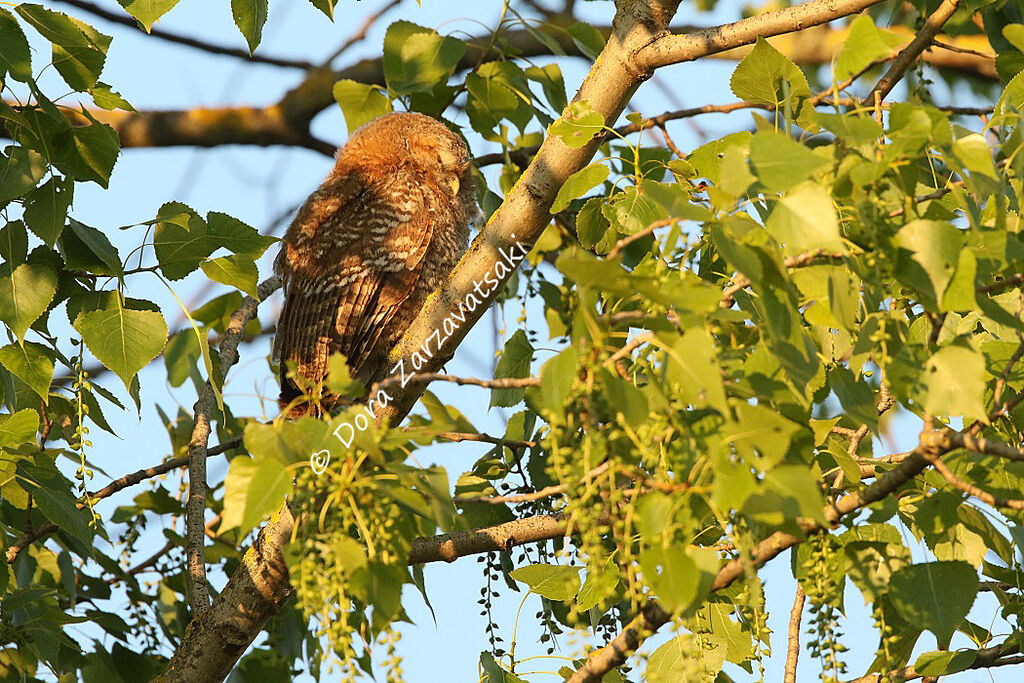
(371, 252)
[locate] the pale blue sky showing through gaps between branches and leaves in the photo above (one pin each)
(258, 185)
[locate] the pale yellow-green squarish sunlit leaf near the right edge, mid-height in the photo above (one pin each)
(955, 378)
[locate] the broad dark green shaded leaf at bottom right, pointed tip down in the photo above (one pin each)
(935, 596)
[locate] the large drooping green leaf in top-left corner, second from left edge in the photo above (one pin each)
(79, 51)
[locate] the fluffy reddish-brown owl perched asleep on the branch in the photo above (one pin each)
(369, 246)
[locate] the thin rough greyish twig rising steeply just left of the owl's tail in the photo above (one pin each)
(196, 503)
